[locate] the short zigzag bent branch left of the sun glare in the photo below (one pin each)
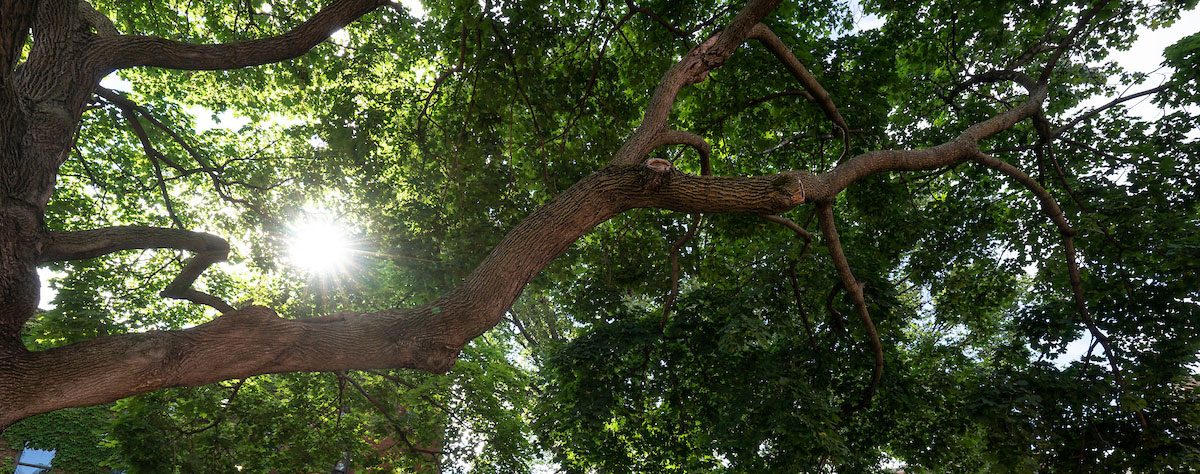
(89, 244)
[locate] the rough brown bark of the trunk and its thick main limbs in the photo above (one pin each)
(41, 104)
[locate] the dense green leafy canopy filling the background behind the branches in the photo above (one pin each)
(433, 135)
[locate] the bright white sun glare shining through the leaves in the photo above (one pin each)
(321, 247)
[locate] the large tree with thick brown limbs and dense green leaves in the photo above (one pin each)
(937, 158)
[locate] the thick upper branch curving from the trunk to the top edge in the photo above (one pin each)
(123, 52)
